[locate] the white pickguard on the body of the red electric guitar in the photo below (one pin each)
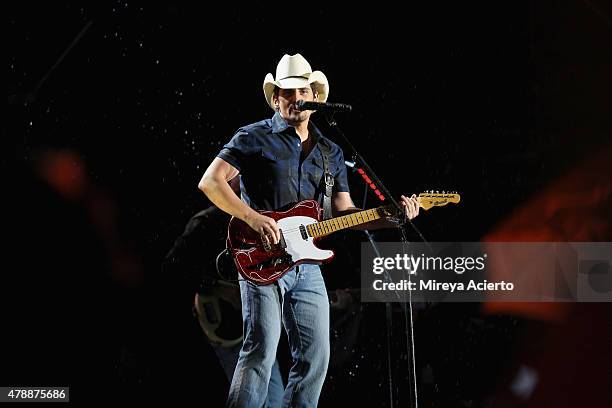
(298, 247)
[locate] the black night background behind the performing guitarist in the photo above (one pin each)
(493, 101)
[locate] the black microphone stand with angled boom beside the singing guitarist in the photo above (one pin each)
(329, 116)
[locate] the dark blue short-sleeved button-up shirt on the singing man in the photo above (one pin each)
(274, 173)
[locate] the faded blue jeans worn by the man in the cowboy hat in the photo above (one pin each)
(298, 301)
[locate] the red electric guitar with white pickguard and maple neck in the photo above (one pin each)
(261, 262)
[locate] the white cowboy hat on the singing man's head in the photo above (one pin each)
(292, 72)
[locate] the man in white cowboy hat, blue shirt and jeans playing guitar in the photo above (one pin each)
(281, 163)
